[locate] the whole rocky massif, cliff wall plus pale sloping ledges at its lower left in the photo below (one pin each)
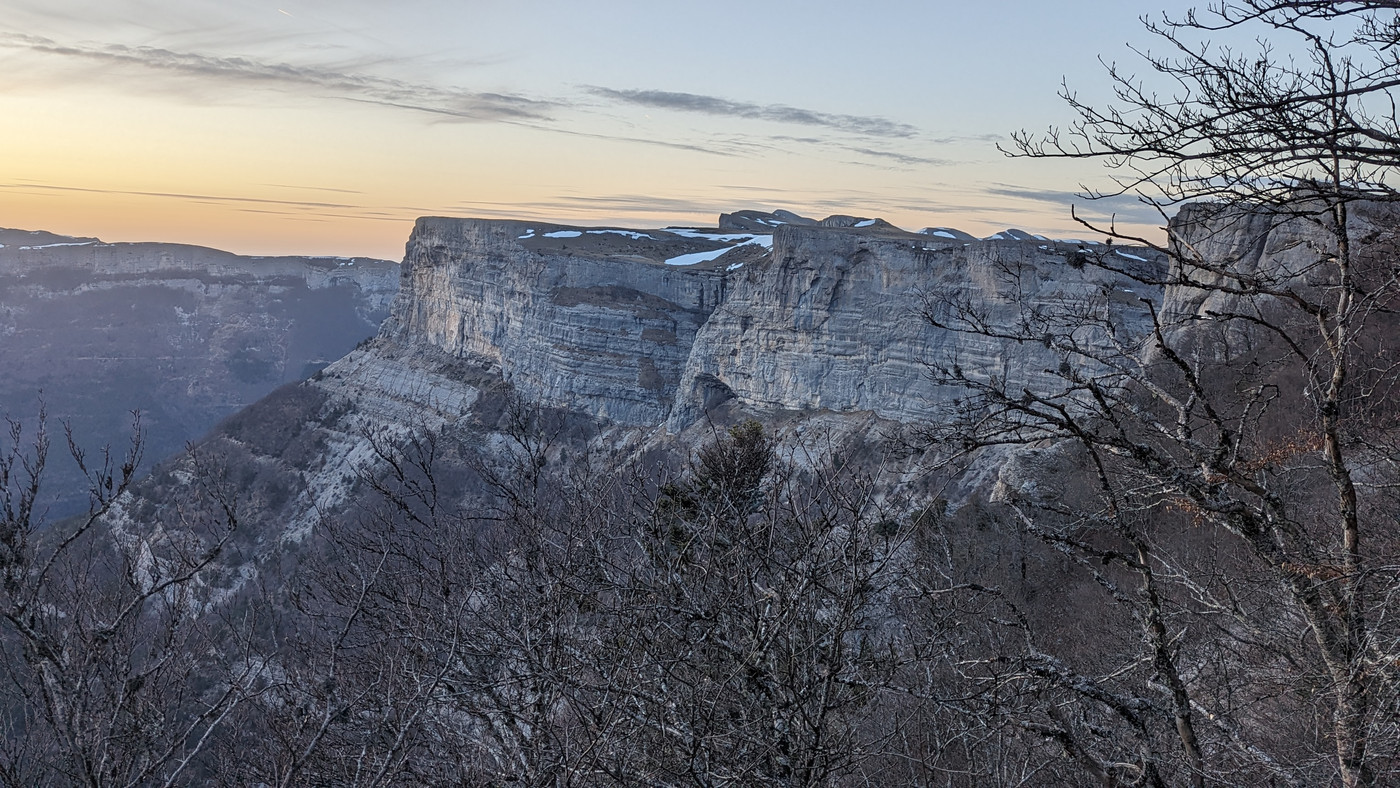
(635, 344)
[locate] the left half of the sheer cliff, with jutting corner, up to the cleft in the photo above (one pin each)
(583, 321)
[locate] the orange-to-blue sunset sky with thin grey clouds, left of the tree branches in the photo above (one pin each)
(328, 127)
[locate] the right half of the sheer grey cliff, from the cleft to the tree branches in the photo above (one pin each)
(836, 321)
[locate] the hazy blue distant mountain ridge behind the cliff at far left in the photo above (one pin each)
(184, 335)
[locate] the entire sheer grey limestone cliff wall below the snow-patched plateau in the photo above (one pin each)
(832, 318)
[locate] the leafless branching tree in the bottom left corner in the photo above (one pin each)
(108, 674)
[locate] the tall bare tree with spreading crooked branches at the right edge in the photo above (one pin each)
(1241, 463)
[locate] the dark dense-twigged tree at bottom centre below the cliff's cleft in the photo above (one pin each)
(758, 639)
